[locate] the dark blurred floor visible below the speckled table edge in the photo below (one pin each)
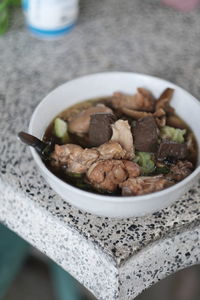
(34, 282)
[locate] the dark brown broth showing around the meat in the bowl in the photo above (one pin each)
(80, 182)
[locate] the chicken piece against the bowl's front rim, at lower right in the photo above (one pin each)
(144, 185)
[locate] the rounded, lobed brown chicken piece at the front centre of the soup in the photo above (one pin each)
(108, 174)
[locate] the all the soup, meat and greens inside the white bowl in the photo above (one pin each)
(125, 145)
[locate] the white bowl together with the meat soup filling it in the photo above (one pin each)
(125, 143)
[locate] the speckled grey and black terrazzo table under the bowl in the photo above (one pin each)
(115, 259)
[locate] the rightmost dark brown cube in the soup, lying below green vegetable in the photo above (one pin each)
(172, 149)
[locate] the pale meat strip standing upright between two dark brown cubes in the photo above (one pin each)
(122, 134)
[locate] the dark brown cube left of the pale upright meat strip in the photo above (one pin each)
(100, 130)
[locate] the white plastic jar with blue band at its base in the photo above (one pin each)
(50, 18)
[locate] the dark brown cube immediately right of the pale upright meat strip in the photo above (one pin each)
(145, 134)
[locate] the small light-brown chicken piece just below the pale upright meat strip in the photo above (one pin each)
(111, 150)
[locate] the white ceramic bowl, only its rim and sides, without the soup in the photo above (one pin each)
(104, 84)
